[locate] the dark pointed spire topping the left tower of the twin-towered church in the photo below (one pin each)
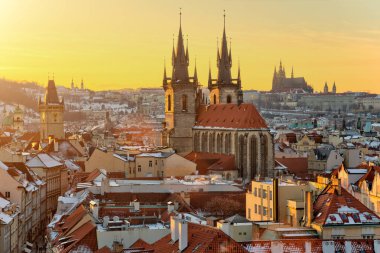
(181, 63)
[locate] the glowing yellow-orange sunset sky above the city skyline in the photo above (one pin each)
(118, 44)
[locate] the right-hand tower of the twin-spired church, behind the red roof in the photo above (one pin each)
(225, 89)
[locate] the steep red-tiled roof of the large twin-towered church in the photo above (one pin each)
(244, 116)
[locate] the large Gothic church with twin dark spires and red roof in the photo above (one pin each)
(219, 124)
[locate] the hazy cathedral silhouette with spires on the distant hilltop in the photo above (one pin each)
(281, 83)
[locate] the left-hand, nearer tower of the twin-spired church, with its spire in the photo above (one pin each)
(181, 96)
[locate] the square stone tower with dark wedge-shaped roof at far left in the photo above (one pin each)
(51, 114)
